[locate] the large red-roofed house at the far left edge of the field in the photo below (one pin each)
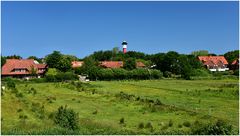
(23, 68)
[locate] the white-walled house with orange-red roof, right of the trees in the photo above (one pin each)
(214, 63)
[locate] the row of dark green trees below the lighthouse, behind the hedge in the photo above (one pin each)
(170, 62)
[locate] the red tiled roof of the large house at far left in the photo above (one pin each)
(25, 64)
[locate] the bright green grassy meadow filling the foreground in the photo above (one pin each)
(202, 100)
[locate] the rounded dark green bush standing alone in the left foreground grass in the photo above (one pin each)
(66, 118)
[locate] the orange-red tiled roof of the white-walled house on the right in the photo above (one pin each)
(214, 59)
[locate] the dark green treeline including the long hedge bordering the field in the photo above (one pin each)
(170, 64)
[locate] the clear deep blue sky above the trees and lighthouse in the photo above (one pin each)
(80, 28)
